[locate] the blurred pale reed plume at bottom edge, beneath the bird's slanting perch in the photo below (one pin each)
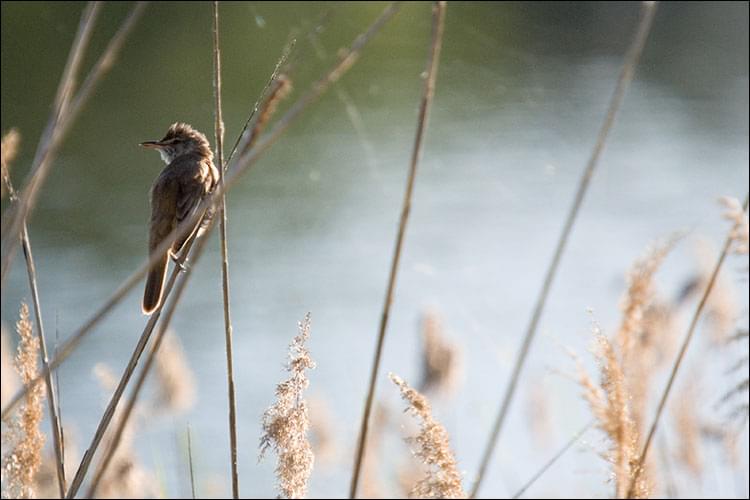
(125, 477)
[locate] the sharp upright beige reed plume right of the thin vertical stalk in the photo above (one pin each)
(286, 422)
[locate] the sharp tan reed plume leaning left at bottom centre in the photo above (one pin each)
(442, 479)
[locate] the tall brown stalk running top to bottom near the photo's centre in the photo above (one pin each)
(438, 23)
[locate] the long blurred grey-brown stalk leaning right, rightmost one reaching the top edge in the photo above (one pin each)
(623, 82)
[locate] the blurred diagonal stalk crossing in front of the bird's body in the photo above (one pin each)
(239, 167)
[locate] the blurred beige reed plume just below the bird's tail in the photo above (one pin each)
(175, 379)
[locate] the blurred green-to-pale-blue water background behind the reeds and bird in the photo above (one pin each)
(521, 93)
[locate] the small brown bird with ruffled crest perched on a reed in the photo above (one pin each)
(190, 175)
